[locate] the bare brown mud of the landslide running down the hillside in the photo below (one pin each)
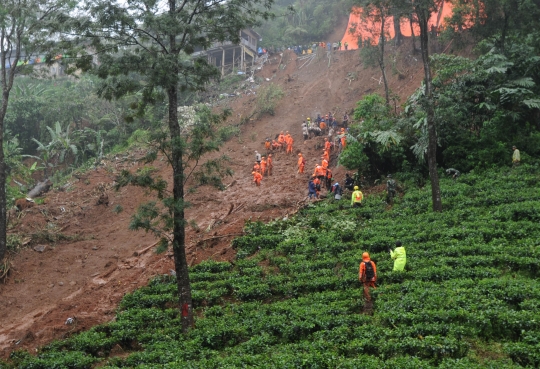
(96, 259)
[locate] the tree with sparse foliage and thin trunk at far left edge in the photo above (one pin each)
(25, 30)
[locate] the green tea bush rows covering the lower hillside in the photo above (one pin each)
(470, 297)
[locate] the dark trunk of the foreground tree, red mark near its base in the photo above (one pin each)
(179, 231)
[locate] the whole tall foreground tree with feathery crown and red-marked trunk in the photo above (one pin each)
(145, 47)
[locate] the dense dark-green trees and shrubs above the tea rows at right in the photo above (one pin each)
(482, 108)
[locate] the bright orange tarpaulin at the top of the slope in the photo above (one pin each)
(360, 29)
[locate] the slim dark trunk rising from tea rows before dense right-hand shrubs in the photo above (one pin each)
(423, 16)
